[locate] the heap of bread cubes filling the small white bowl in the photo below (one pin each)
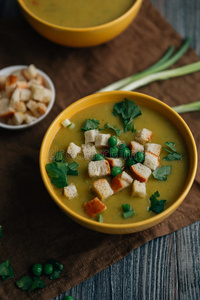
(23, 96)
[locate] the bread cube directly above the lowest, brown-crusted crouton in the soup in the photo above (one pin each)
(102, 188)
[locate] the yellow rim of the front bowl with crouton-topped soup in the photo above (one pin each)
(94, 224)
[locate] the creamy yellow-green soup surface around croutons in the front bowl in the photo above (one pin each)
(163, 131)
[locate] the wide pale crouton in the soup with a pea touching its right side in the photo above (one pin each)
(99, 168)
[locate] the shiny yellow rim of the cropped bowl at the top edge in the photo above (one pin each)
(80, 29)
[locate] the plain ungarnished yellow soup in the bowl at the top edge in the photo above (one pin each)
(79, 13)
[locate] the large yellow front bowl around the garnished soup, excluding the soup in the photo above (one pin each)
(117, 96)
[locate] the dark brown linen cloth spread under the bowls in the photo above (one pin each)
(34, 228)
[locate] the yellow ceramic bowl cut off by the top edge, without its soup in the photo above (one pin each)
(81, 37)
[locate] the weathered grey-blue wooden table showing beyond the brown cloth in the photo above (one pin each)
(168, 267)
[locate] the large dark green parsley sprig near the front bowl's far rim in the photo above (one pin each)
(127, 110)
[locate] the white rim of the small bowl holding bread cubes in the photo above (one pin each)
(6, 72)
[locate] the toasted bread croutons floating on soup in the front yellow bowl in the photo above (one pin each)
(136, 177)
